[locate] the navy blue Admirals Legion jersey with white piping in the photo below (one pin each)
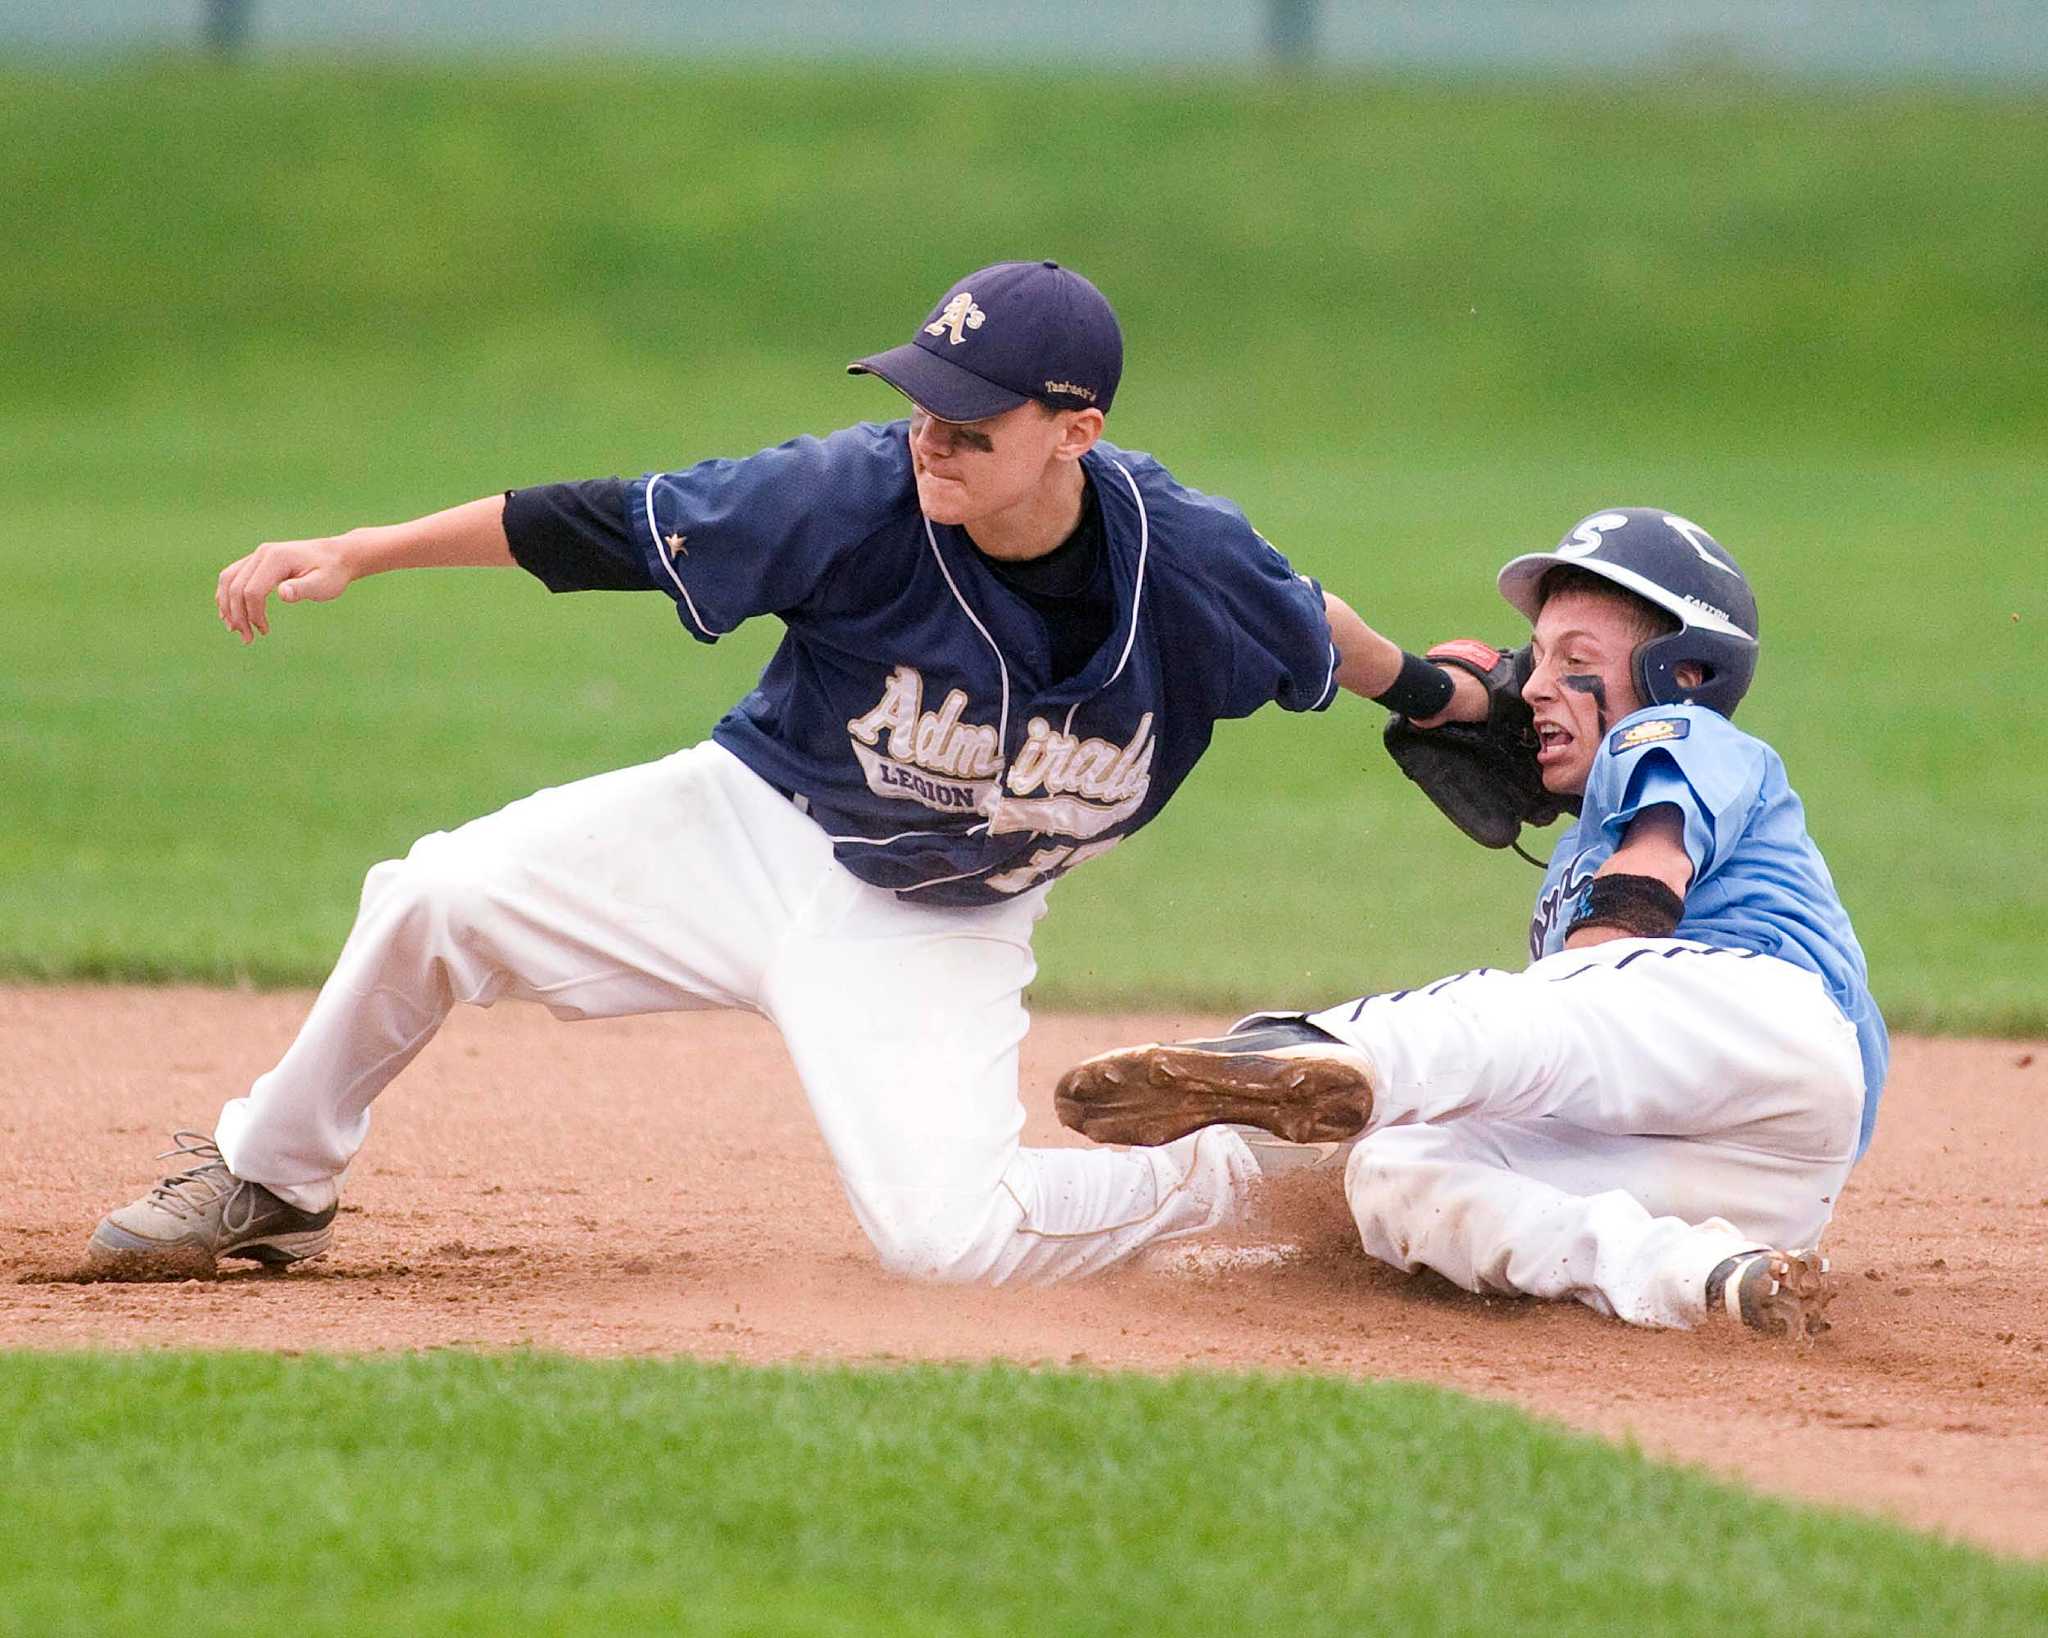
(916, 705)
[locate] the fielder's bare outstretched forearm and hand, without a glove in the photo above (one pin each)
(464, 537)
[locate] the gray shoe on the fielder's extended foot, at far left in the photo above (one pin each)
(208, 1213)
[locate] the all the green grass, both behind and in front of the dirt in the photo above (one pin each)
(1412, 329)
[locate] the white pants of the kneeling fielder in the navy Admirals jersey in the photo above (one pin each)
(691, 883)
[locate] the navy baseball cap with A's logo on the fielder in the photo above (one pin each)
(1007, 335)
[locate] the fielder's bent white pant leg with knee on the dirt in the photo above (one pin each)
(904, 1023)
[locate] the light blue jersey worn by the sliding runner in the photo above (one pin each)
(1758, 879)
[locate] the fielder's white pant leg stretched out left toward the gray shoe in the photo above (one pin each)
(648, 890)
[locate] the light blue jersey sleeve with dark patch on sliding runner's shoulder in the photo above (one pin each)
(1689, 759)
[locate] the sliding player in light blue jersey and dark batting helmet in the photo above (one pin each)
(1658, 1115)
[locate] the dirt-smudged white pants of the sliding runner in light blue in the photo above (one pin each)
(1605, 1125)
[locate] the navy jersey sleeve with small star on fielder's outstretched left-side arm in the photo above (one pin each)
(734, 540)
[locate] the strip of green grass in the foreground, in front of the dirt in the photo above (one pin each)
(470, 1496)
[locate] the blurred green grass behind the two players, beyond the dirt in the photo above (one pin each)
(1412, 329)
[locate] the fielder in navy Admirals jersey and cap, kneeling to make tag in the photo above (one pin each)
(1007, 644)
